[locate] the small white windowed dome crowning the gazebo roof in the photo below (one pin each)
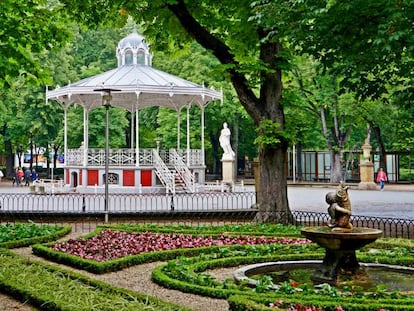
(133, 50)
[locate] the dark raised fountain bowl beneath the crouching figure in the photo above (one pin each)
(337, 240)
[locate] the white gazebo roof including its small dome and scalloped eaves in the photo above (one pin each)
(137, 85)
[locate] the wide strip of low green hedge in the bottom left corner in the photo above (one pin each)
(52, 288)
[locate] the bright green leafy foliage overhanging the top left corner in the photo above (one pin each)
(28, 28)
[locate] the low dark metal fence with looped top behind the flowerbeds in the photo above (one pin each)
(85, 211)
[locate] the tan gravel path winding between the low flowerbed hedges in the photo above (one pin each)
(137, 278)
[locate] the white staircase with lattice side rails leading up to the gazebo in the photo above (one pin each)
(177, 179)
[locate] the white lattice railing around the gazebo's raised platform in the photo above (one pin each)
(127, 157)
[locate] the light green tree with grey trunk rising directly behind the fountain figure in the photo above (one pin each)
(334, 107)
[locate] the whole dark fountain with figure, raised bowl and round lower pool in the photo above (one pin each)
(340, 241)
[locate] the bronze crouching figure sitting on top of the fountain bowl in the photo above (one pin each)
(339, 209)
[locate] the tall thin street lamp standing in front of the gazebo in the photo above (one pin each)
(106, 102)
